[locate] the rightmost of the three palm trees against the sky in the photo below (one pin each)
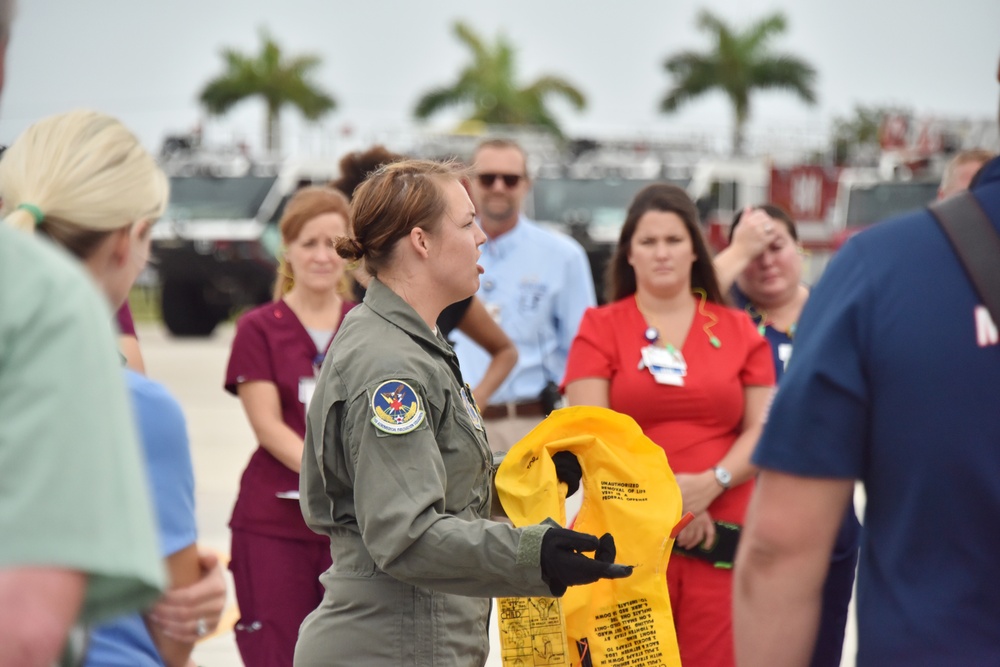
(739, 64)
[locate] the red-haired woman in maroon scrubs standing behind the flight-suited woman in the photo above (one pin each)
(276, 356)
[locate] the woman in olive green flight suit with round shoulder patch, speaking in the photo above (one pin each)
(397, 469)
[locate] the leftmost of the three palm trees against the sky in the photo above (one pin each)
(269, 74)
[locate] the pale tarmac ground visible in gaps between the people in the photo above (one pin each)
(221, 444)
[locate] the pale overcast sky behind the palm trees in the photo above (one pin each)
(145, 60)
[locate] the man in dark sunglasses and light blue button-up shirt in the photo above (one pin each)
(536, 286)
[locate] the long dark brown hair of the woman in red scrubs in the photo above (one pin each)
(668, 198)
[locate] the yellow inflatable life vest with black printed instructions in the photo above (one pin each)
(628, 491)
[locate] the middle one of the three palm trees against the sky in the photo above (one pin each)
(489, 83)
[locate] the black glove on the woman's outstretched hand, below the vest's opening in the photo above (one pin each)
(563, 565)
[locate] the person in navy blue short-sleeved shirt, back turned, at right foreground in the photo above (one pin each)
(895, 381)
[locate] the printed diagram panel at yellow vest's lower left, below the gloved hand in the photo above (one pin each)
(532, 632)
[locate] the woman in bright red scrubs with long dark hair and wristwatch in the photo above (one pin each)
(696, 376)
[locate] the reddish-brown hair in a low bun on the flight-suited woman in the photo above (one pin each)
(390, 203)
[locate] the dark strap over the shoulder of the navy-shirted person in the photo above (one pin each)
(977, 244)
